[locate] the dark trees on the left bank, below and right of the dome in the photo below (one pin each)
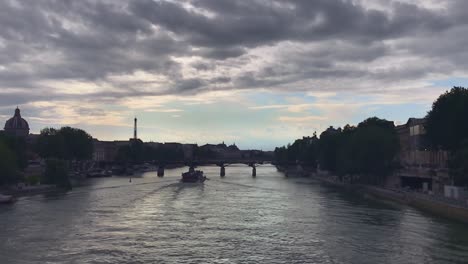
(58, 147)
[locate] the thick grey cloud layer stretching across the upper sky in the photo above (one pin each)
(94, 41)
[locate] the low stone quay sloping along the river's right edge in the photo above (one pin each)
(441, 206)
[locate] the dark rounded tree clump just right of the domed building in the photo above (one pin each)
(66, 143)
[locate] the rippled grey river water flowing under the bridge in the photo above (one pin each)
(236, 219)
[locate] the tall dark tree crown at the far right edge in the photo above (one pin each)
(447, 121)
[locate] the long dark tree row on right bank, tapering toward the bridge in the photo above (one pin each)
(368, 150)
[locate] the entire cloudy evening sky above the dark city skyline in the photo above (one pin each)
(258, 73)
